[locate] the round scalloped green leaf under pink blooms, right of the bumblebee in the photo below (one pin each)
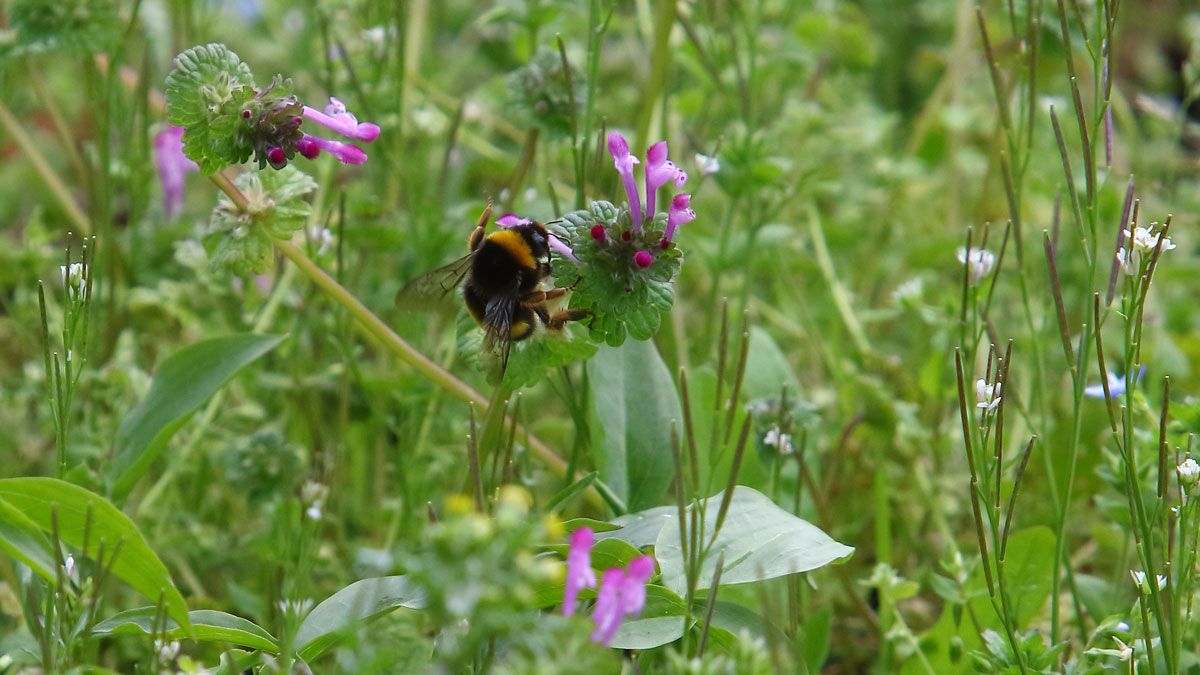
(623, 298)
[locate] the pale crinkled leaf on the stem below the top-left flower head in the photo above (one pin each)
(242, 240)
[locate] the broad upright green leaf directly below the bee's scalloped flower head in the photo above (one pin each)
(634, 404)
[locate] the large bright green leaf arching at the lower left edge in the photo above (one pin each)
(77, 511)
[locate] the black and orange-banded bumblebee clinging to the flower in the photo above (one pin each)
(505, 279)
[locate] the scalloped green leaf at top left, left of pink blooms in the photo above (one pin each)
(206, 94)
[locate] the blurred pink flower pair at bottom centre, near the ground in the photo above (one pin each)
(622, 592)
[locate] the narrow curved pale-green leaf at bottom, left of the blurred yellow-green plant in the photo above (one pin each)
(362, 601)
